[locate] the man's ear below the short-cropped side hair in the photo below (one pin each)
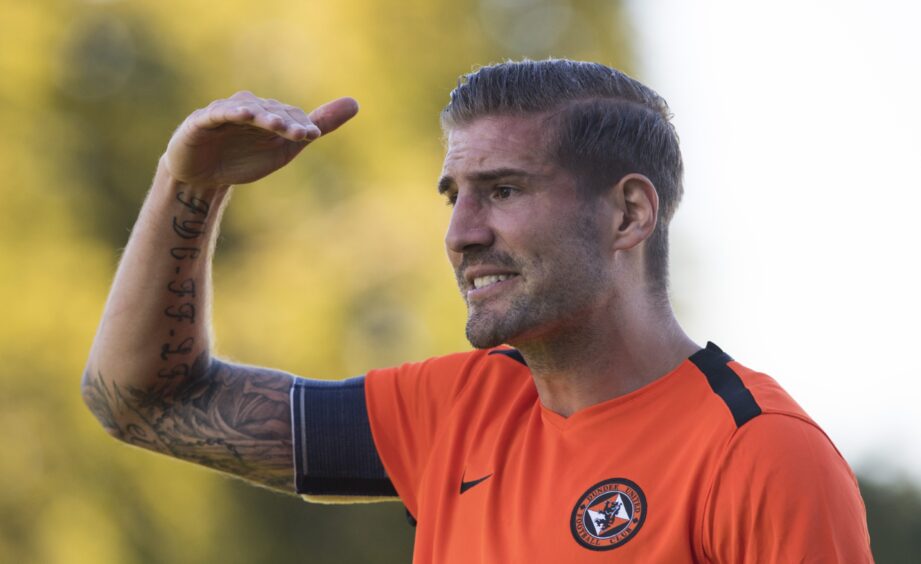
(637, 205)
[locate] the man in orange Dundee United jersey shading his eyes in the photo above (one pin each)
(605, 433)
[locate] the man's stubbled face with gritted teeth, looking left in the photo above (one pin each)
(526, 248)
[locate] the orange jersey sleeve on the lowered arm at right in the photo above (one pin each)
(784, 494)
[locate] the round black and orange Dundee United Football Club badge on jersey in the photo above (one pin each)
(608, 514)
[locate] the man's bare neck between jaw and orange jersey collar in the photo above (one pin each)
(606, 356)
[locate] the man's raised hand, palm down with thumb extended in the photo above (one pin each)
(244, 138)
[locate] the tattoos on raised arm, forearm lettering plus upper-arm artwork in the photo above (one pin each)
(232, 418)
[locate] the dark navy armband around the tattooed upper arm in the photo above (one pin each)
(334, 452)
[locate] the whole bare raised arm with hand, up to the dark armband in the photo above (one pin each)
(151, 380)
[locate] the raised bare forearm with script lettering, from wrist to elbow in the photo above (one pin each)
(155, 329)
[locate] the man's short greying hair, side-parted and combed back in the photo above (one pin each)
(606, 125)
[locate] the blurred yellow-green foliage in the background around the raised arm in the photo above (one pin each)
(329, 268)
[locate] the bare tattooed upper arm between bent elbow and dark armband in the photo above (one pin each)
(233, 418)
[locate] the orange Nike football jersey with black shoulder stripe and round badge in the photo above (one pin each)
(712, 462)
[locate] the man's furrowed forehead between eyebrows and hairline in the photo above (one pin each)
(498, 142)
